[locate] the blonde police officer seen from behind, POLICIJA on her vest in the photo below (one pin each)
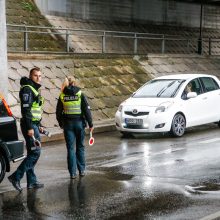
(72, 112)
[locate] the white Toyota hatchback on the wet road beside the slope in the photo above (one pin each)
(171, 103)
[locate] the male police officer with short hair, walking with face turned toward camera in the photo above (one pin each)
(31, 110)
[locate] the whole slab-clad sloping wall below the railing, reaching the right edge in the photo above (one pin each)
(106, 81)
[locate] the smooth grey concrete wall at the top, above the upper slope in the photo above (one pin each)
(138, 11)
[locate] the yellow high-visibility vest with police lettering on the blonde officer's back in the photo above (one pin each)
(71, 103)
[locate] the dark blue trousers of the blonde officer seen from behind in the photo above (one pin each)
(74, 134)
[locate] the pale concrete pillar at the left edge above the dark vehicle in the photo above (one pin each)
(3, 51)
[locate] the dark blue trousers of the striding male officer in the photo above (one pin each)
(30, 161)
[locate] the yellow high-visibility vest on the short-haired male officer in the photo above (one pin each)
(37, 107)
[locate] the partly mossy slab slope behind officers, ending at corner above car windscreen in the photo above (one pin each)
(105, 81)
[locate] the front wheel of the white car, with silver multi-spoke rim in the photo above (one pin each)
(178, 125)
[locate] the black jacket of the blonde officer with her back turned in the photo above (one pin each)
(85, 108)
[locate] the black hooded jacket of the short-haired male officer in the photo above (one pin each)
(27, 97)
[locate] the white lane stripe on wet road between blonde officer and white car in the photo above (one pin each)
(120, 161)
